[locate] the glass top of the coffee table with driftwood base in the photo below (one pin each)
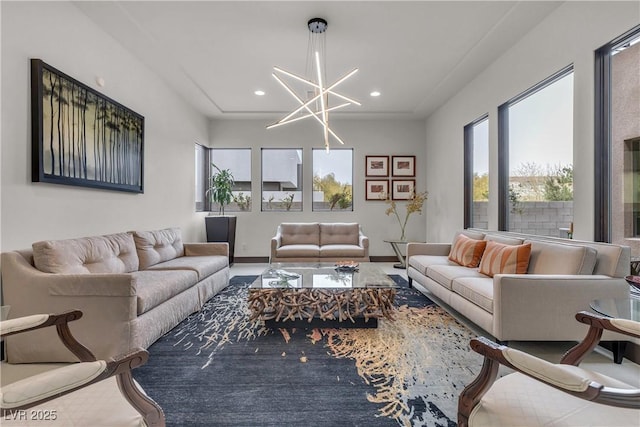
(322, 276)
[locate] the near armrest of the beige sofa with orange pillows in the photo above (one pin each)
(545, 305)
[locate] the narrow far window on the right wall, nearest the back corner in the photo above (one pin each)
(476, 169)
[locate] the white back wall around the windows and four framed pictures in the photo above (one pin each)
(366, 137)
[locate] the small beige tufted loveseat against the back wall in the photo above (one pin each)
(319, 242)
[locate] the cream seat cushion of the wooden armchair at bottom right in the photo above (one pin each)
(517, 400)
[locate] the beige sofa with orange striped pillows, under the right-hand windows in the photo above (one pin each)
(519, 287)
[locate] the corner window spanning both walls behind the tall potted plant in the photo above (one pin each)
(238, 161)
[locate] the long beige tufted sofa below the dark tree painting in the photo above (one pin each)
(132, 288)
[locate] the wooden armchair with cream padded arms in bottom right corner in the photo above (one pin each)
(543, 393)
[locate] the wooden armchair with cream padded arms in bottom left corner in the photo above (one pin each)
(90, 392)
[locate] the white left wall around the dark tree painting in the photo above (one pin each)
(59, 34)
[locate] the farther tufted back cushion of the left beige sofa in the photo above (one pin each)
(158, 246)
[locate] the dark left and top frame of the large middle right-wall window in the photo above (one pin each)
(503, 142)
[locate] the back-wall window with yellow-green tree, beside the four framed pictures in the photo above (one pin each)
(332, 180)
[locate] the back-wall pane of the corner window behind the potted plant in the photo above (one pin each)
(238, 161)
